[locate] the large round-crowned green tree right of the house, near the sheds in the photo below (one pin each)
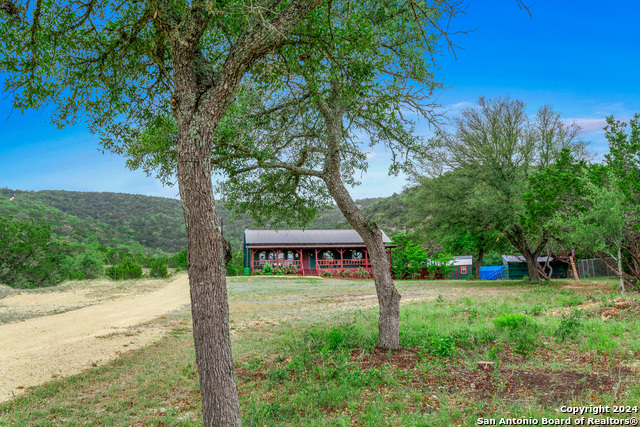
(497, 147)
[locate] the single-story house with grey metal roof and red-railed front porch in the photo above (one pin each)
(311, 251)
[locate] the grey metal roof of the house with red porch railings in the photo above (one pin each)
(305, 237)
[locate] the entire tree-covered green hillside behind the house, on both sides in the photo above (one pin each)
(154, 223)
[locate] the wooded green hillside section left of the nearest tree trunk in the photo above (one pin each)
(109, 219)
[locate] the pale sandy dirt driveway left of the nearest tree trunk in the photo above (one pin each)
(39, 349)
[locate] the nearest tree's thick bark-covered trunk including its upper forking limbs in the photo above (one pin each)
(200, 99)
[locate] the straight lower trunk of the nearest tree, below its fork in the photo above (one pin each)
(209, 307)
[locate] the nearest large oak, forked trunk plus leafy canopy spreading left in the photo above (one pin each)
(120, 65)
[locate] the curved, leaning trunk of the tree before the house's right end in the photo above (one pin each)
(388, 295)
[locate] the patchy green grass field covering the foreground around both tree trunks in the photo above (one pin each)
(304, 356)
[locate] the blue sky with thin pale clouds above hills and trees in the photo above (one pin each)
(581, 57)
